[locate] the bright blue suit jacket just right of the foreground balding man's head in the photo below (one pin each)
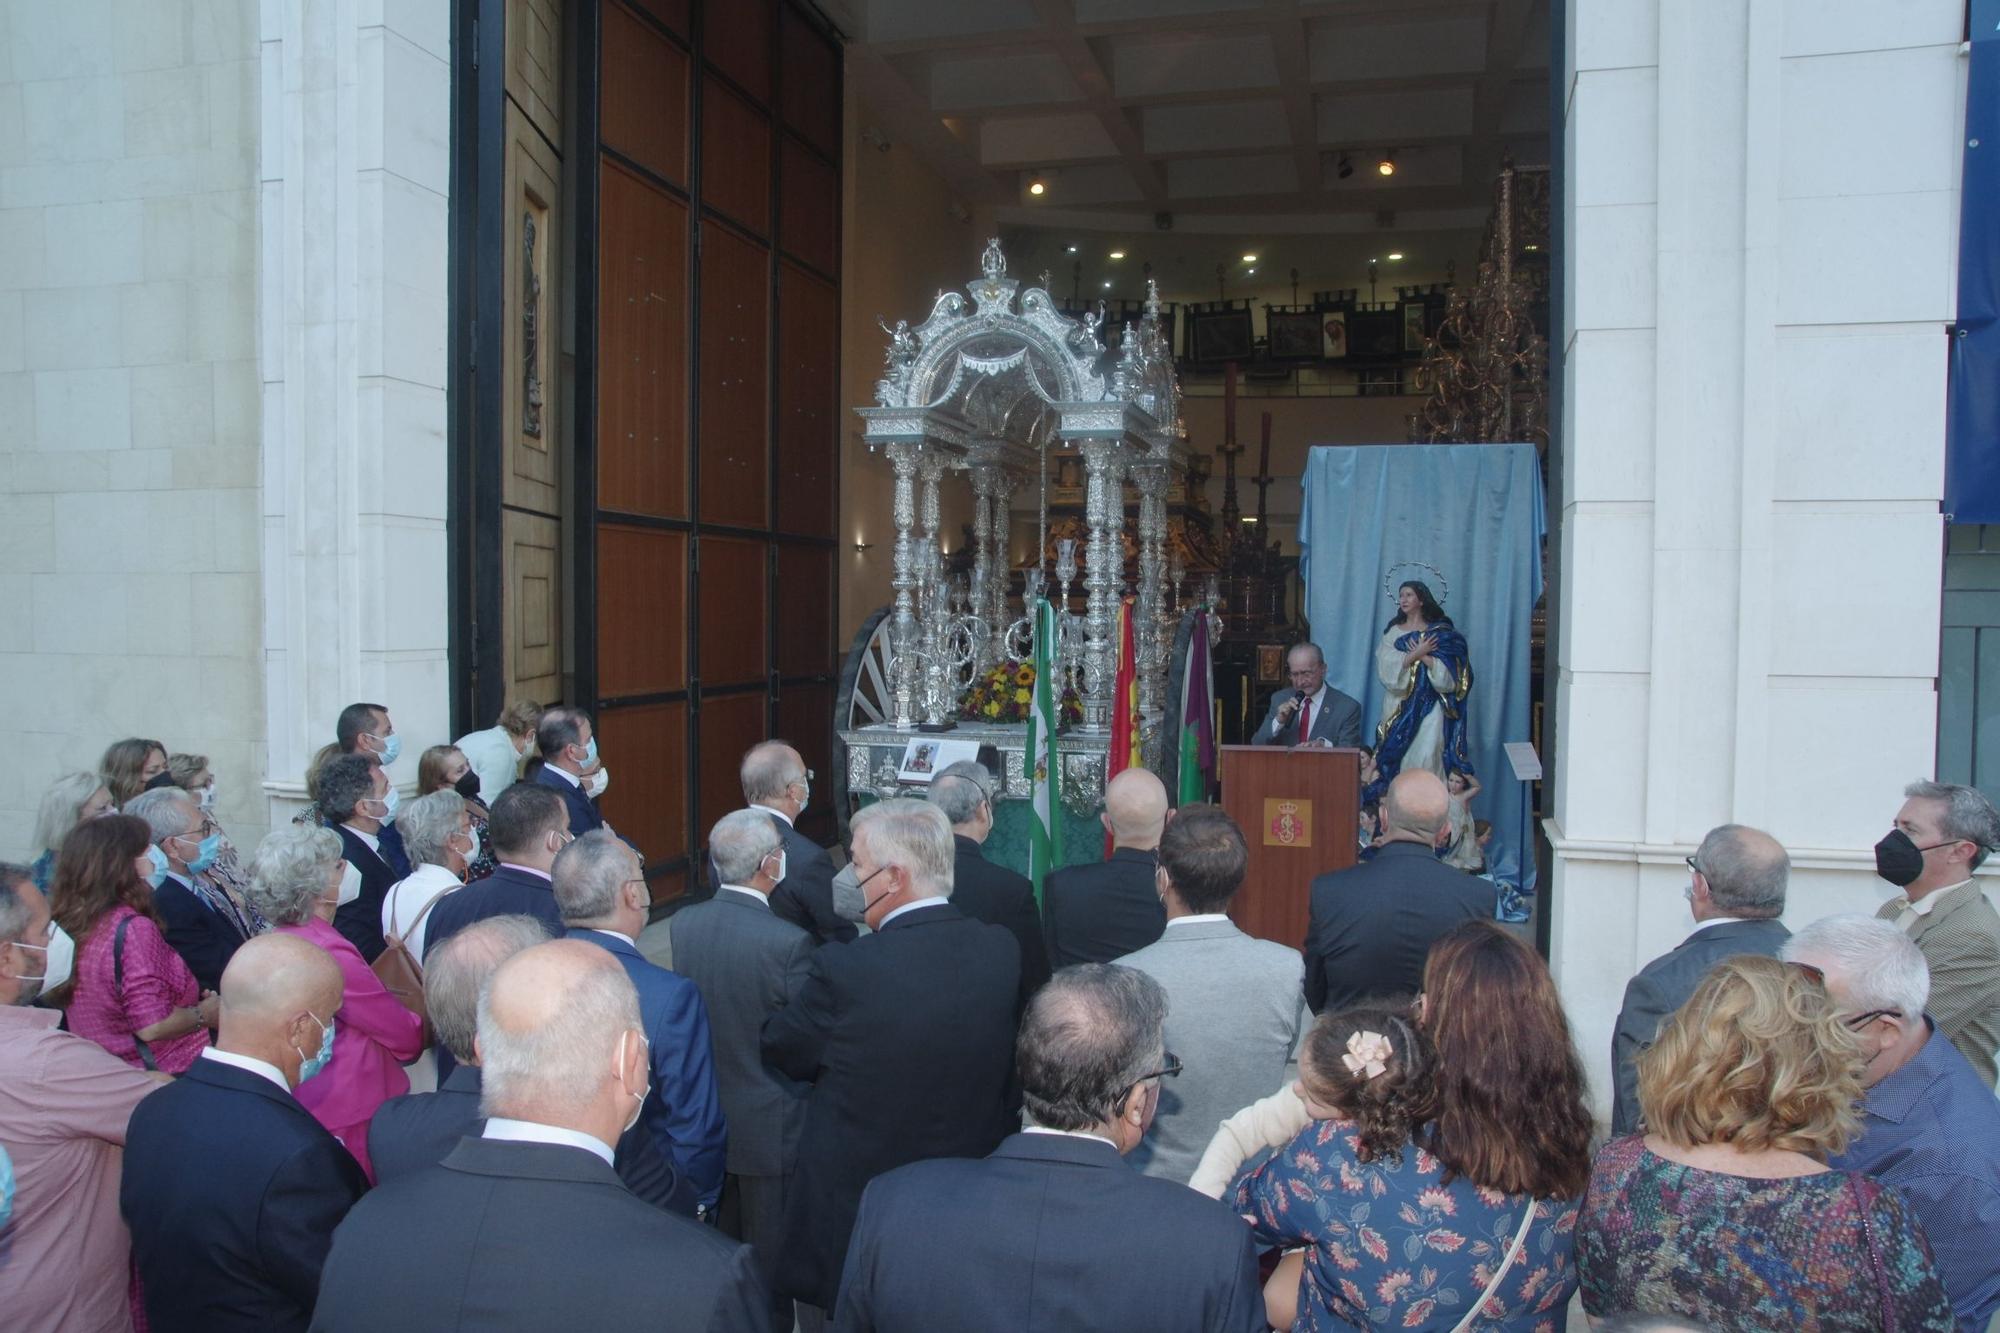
(685, 1110)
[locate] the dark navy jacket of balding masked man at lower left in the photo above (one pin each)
(233, 1194)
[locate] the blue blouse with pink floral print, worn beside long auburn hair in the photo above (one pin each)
(1393, 1246)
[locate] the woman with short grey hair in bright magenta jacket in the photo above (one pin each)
(295, 882)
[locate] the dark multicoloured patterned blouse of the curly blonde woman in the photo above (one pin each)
(1817, 1252)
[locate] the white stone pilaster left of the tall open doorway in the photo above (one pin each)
(355, 171)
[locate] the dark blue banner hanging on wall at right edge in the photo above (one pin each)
(1973, 433)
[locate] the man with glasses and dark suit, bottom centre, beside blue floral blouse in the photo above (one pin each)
(1053, 1230)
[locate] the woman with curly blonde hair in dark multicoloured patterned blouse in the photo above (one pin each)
(1725, 1212)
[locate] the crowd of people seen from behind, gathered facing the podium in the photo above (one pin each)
(899, 1090)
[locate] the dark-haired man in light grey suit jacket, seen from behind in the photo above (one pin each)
(1235, 1002)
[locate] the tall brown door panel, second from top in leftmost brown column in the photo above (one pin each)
(643, 347)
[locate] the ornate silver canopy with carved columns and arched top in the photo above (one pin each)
(985, 389)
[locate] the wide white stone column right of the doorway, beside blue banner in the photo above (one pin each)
(1761, 241)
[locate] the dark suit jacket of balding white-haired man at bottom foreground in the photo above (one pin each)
(531, 1236)
